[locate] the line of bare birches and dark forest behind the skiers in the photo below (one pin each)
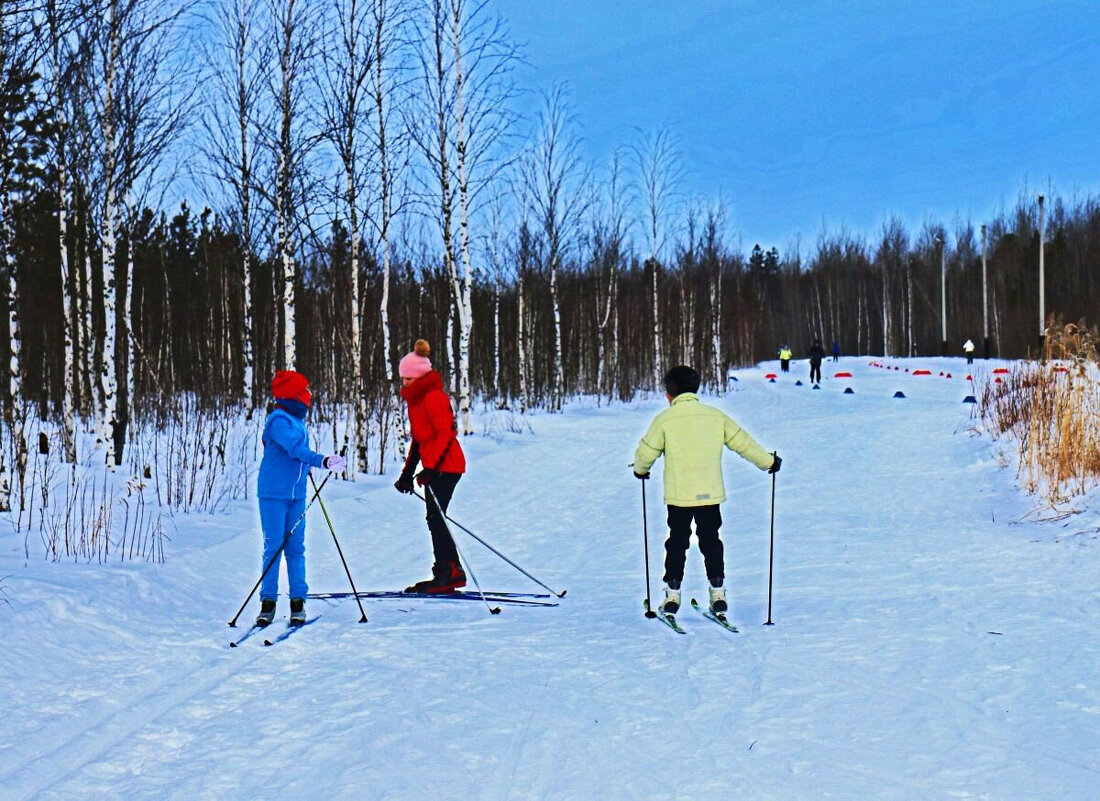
(364, 180)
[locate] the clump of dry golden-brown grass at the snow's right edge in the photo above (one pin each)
(1053, 410)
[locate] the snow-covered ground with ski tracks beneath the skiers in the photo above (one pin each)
(932, 640)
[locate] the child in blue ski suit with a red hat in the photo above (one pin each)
(284, 473)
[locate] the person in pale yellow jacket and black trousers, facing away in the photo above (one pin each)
(691, 435)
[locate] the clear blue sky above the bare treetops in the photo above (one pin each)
(808, 114)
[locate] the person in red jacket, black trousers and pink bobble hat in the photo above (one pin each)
(436, 446)
